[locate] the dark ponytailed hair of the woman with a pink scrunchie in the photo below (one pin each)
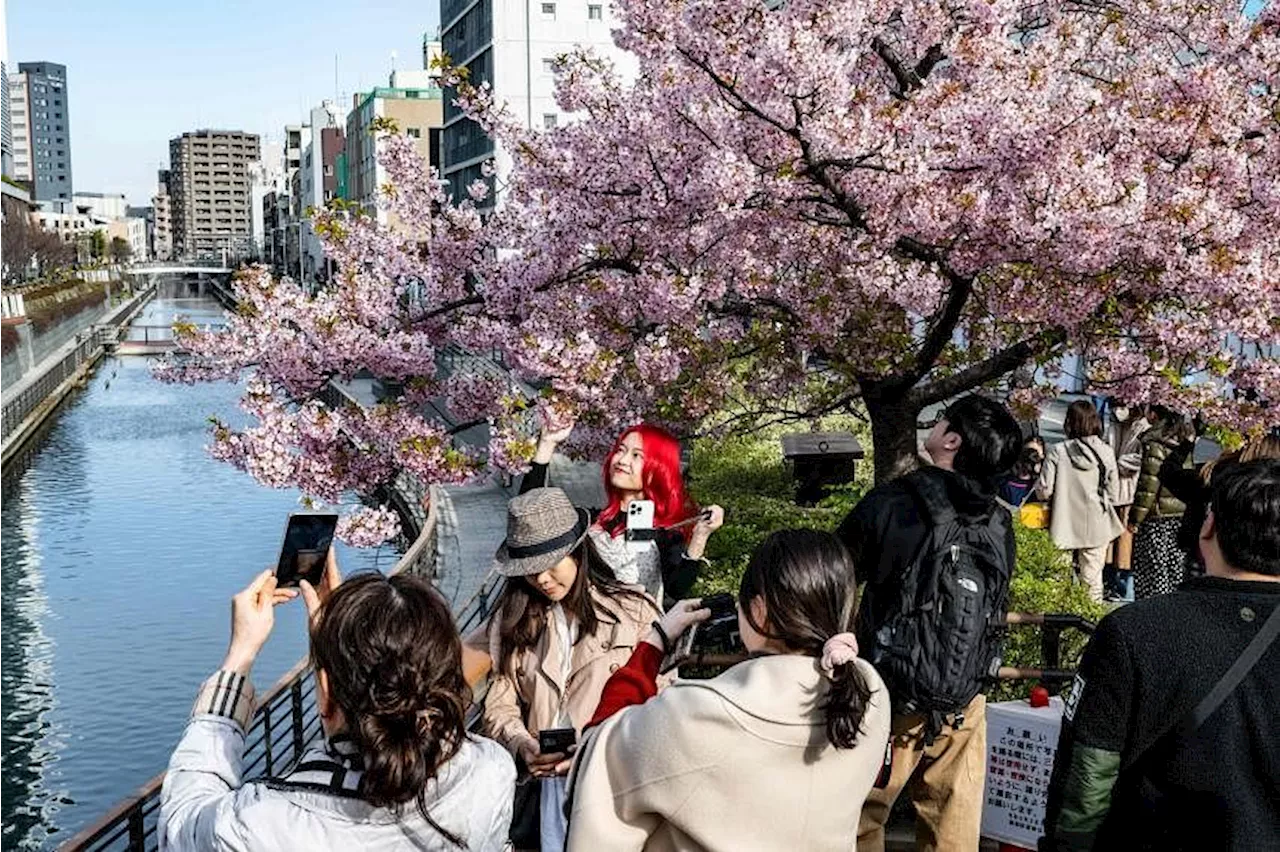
(811, 594)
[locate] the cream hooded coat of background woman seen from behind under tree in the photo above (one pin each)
(1069, 480)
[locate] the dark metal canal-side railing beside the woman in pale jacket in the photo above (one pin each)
(285, 723)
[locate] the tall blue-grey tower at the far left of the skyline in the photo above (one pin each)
(42, 131)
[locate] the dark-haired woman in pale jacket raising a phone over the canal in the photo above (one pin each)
(396, 768)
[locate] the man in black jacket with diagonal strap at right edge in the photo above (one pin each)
(1171, 730)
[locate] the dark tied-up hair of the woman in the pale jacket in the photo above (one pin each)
(394, 661)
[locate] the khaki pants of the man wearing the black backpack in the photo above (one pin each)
(944, 781)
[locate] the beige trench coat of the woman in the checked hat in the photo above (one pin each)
(534, 679)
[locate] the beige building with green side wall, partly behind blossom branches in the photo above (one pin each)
(417, 104)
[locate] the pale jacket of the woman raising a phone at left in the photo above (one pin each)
(207, 807)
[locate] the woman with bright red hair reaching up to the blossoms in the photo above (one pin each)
(644, 465)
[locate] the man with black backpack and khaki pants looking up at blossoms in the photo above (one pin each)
(936, 552)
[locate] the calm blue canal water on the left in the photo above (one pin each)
(121, 546)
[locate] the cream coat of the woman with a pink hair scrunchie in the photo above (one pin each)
(740, 762)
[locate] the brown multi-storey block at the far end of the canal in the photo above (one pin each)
(209, 190)
